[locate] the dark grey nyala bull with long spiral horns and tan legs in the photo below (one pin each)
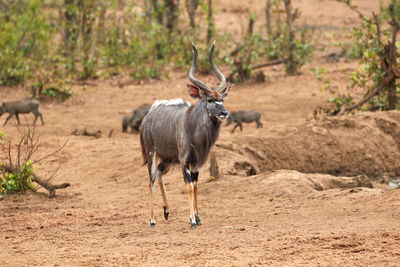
(175, 132)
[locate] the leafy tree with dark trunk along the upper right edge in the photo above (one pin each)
(374, 42)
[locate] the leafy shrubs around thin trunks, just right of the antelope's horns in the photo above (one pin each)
(283, 43)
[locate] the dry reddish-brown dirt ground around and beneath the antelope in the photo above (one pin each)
(296, 192)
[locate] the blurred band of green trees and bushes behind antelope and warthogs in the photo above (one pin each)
(45, 43)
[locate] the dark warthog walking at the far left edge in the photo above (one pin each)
(23, 106)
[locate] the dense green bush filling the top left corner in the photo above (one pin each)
(24, 36)
